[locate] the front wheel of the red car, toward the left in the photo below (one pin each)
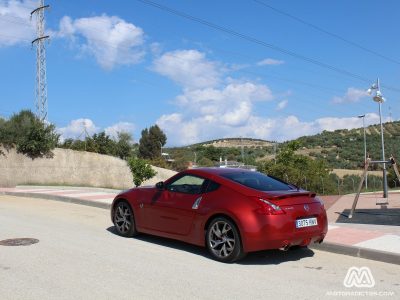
(124, 220)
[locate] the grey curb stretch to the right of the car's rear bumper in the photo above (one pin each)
(360, 252)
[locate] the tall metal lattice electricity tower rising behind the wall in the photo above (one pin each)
(41, 81)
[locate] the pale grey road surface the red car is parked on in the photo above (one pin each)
(78, 256)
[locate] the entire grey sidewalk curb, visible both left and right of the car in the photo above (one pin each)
(354, 251)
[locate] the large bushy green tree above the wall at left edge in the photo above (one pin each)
(29, 135)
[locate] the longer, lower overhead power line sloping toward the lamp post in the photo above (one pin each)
(260, 42)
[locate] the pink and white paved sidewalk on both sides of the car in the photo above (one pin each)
(372, 233)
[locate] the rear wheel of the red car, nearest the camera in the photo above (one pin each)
(223, 241)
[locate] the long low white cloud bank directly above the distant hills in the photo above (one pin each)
(183, 131)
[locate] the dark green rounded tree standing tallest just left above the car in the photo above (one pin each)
(151, 141)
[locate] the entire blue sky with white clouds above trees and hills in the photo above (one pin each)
(125, 65)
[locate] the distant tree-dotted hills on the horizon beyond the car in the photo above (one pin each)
(342, 149)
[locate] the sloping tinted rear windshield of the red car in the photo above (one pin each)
(258, 181)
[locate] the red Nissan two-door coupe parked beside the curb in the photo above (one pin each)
(230, 211)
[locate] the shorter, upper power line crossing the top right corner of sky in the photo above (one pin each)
(334, 35)
